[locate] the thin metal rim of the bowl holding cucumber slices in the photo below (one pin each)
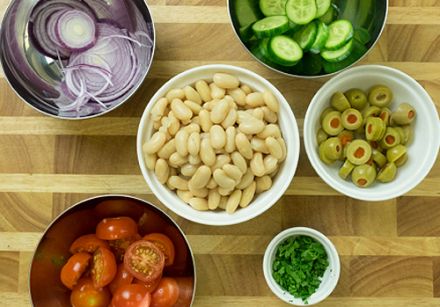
(303, 76)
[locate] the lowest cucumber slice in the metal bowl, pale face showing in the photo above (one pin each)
(284, 50)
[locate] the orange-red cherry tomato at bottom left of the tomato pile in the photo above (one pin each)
(84, 294)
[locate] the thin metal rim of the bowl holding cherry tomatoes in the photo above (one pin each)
(125, 196)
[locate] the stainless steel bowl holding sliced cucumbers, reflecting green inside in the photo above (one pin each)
(368, 12)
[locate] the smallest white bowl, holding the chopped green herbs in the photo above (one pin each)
(329, 279)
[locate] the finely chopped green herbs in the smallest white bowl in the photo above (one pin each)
(300, 263)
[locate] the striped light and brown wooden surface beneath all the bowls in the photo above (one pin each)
(390, 251)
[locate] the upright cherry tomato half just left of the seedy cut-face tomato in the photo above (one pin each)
(103, 267)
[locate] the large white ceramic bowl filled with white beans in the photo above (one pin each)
(263, 201)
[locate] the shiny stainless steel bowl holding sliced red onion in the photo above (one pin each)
(34, 76)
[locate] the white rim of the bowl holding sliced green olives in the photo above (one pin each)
(311, 150)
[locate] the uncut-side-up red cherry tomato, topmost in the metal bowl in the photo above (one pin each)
(116, 228)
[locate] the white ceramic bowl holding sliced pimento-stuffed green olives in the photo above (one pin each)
(422, 152)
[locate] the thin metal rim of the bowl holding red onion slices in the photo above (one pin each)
(142, 79)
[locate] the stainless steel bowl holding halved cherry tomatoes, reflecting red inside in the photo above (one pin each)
(52, 251)
